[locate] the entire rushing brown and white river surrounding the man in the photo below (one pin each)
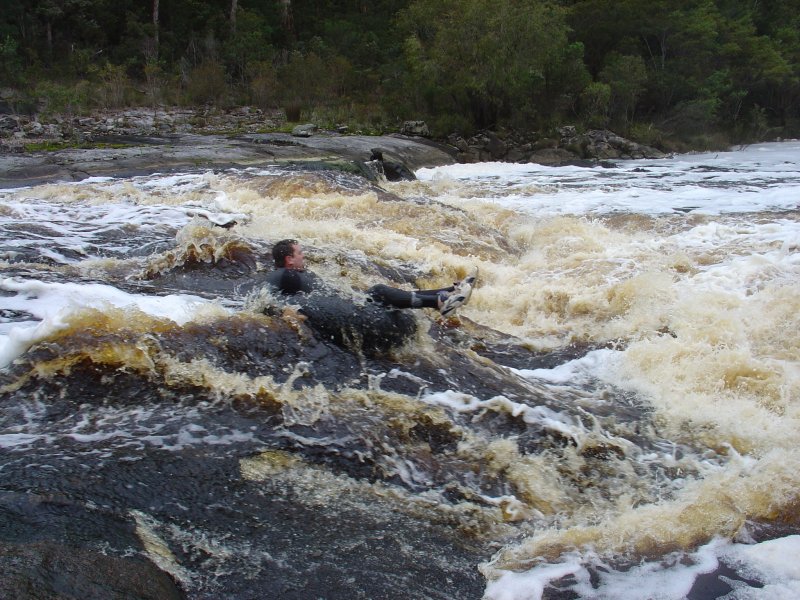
(615, 414)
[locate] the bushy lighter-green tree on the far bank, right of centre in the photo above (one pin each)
(493, 60)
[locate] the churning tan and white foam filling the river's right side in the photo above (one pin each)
(699, 273)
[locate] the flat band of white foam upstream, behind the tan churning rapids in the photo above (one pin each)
(758, 178)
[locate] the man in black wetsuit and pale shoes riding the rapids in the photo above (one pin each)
(290, 277)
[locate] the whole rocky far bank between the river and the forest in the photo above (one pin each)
(141, 141)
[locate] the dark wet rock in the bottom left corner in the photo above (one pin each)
(80, 553)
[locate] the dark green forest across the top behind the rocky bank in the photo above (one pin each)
(696, 72)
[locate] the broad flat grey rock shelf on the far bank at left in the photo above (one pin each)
(141, 142)
